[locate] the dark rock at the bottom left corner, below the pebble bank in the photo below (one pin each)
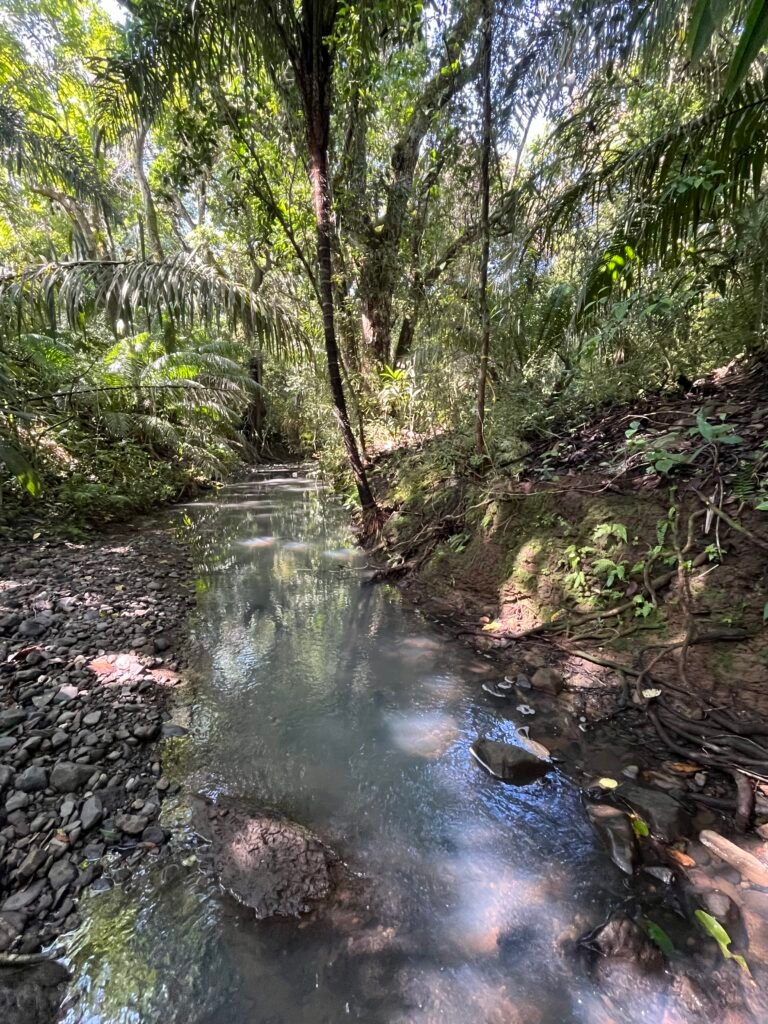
(31, 991)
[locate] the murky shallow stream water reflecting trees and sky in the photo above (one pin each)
(328, 700)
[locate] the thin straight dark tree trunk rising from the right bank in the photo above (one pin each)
(488, 41)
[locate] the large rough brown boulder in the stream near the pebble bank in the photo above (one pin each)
(267, 863)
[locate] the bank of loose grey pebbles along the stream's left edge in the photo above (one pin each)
(92, 642)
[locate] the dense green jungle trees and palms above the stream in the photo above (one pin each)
(232, 229)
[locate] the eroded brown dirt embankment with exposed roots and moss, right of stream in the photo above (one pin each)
(618, 575)
